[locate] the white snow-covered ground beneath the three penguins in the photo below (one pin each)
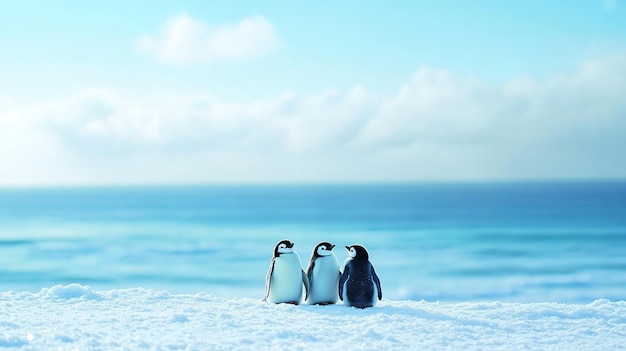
(75, 317)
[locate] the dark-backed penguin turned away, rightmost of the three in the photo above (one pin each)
(359, 285)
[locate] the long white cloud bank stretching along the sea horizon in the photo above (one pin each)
(437, 126)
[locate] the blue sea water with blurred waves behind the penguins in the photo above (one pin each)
(527, 242)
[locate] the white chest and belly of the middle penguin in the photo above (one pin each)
(324, 280)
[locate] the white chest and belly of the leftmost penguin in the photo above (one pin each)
(286, 279)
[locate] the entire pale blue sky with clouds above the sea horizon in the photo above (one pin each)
(189, 92)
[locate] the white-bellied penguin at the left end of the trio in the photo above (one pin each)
(285, 276)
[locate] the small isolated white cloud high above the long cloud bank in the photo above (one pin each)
(184, 40)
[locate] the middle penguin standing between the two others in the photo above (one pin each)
(323, 273)
